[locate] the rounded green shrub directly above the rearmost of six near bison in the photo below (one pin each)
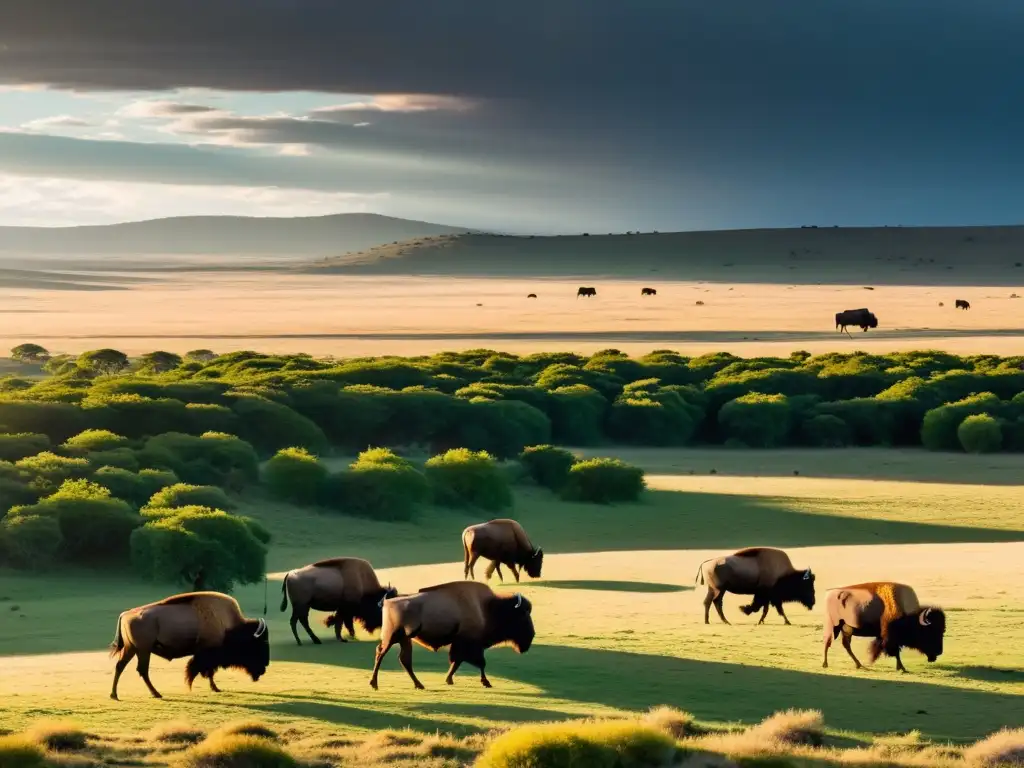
(462, 478)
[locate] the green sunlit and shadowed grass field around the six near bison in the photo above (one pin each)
(619, 621)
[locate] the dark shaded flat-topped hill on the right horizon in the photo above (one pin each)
(983, 255)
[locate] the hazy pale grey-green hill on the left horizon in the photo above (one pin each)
(218, 236)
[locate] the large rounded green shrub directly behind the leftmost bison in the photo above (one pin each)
(176, 547)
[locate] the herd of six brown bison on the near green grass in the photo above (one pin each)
(468, 618)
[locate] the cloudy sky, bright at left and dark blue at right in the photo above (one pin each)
(546, 116)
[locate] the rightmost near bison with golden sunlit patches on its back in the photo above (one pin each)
(890, 614)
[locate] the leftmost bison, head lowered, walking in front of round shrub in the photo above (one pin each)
(207, 626)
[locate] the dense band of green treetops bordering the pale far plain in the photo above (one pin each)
(501, 403)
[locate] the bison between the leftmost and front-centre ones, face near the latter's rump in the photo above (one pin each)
(346, 586)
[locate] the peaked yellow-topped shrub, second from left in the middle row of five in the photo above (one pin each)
(380, 486)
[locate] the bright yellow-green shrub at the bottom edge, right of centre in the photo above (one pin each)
(580, 744)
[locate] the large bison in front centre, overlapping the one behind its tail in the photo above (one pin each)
(465, 616)
